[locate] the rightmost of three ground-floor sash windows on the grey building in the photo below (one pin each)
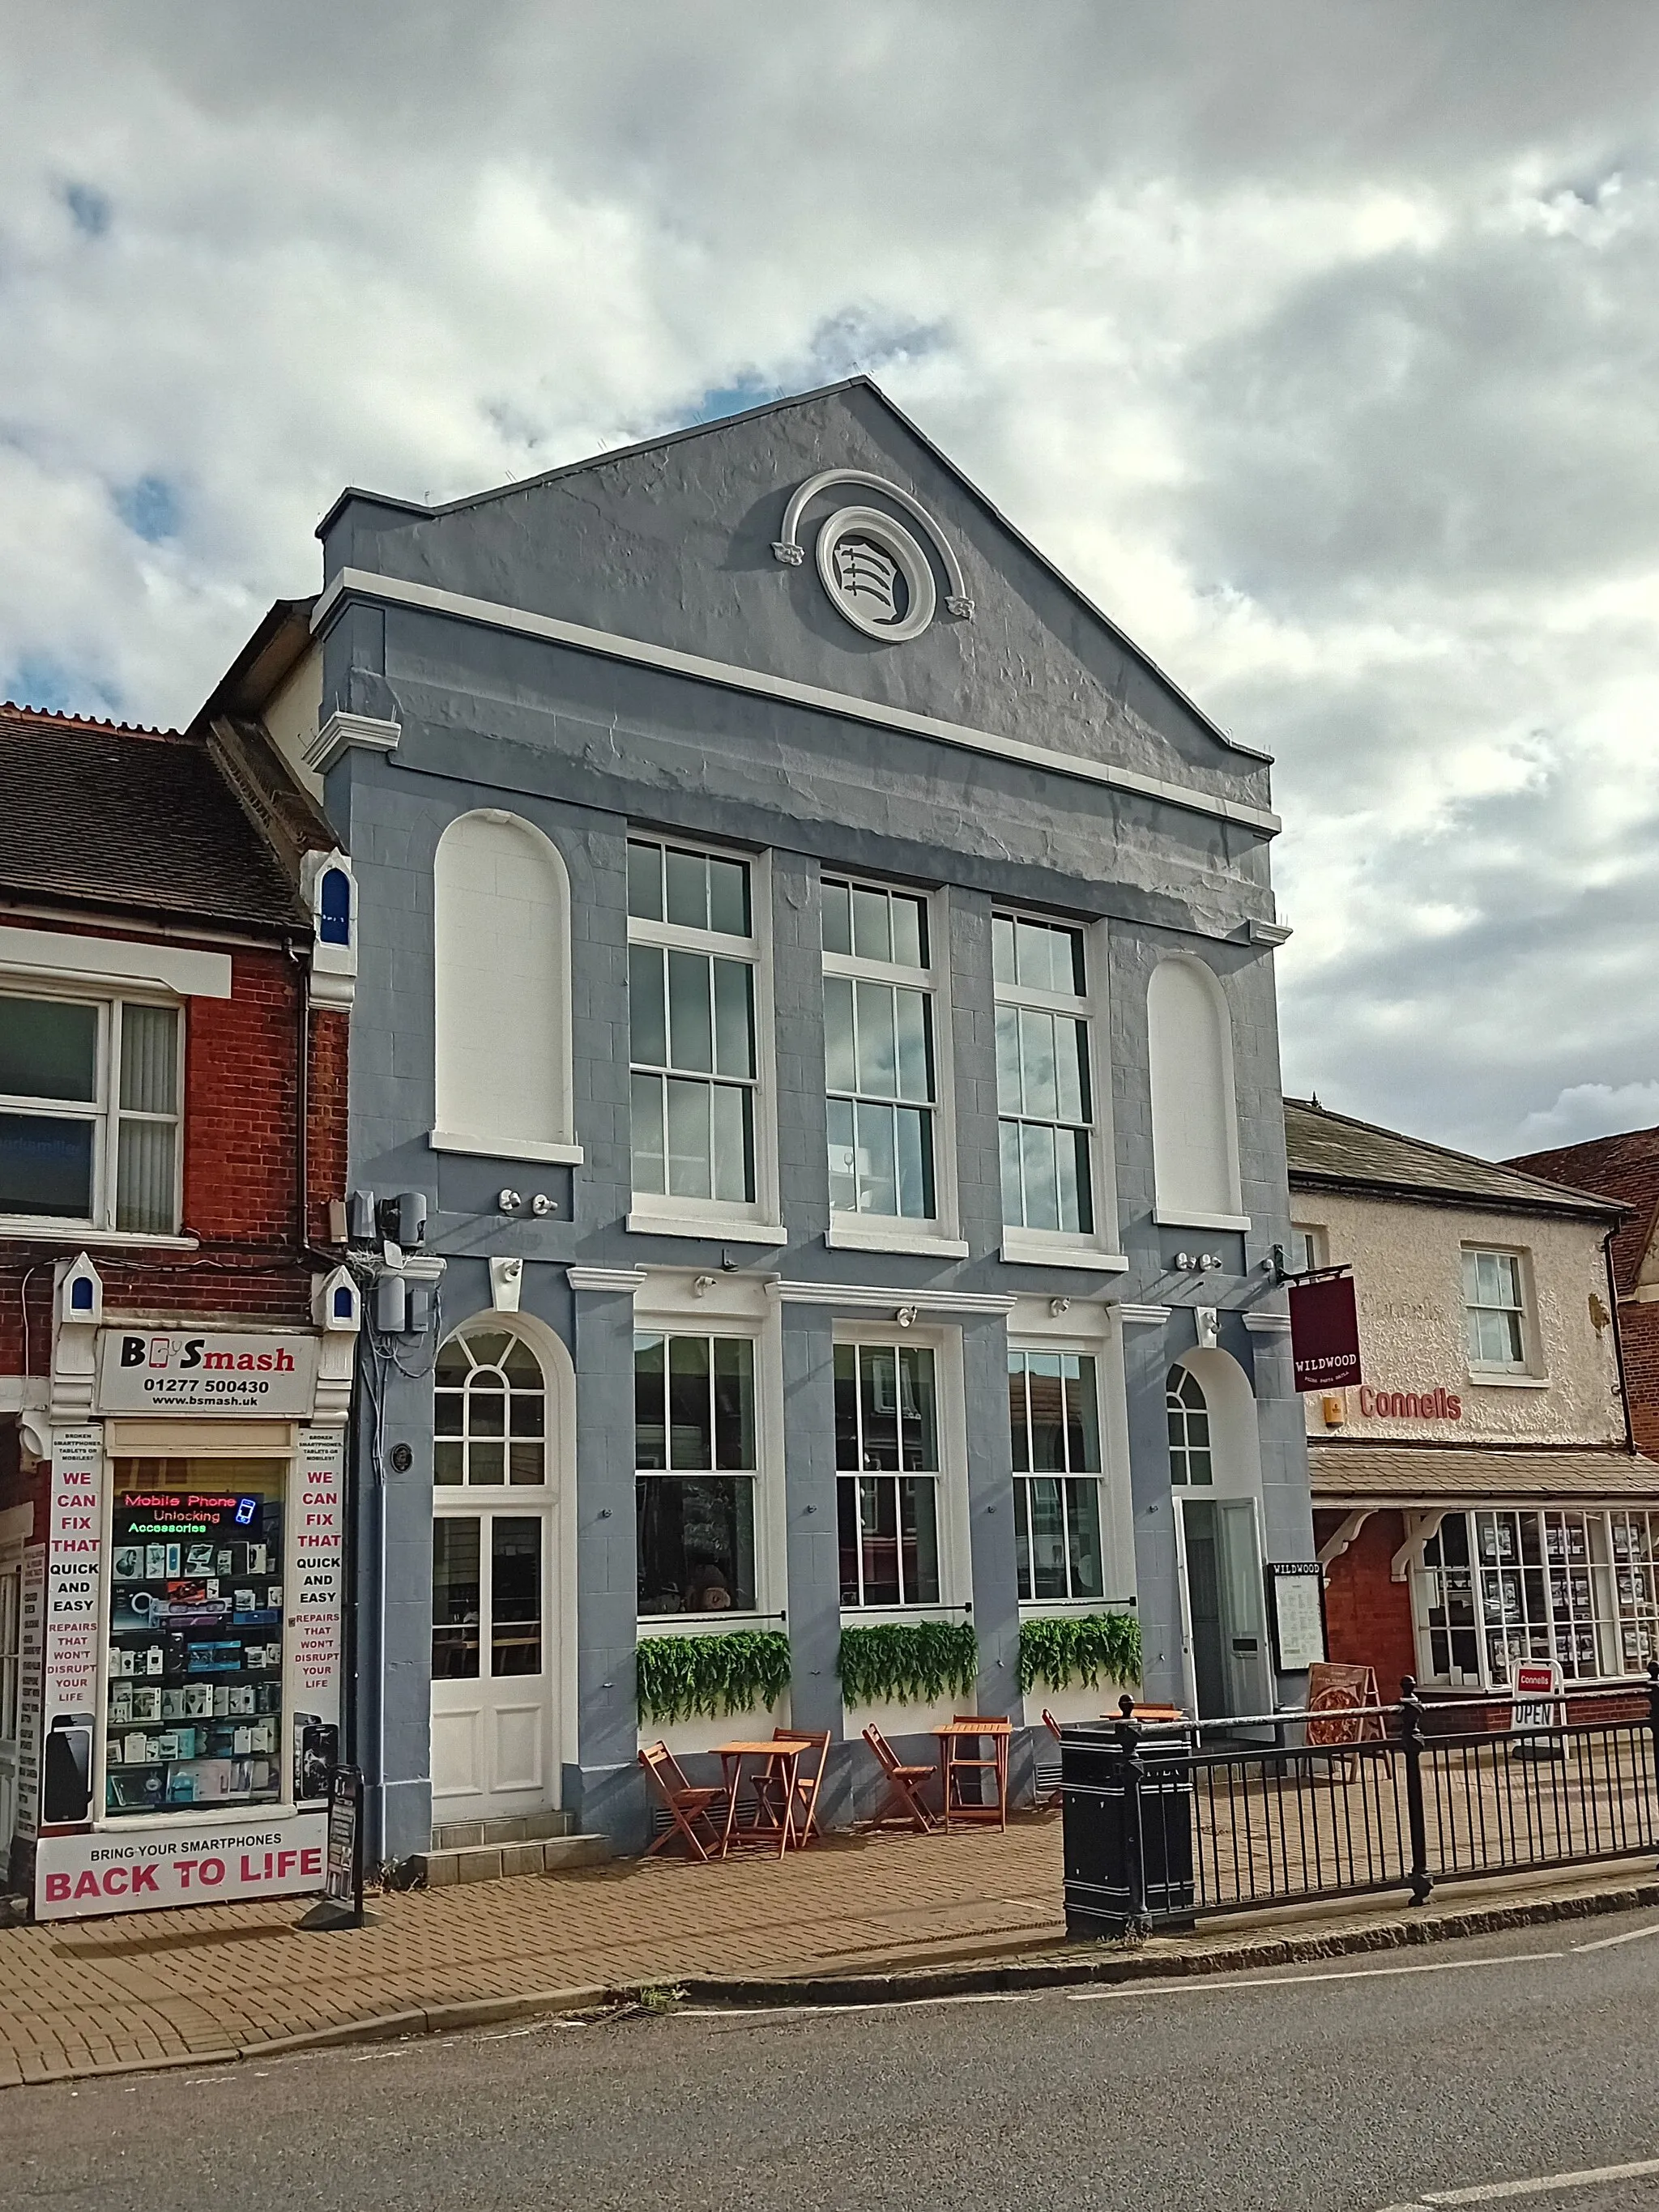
(1054, 1421)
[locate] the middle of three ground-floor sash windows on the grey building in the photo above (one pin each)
(901, 1474)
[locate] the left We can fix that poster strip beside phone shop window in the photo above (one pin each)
(72, 1631)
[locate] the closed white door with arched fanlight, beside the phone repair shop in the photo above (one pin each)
(494, 1704)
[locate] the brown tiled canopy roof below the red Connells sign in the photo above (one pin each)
(1428, 1474)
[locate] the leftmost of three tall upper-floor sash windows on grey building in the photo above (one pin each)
(693, 957)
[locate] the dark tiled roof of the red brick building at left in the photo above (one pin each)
(112, 815)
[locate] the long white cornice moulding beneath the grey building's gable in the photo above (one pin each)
(395, 592)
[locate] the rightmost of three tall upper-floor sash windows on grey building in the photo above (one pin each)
(1054, 1096)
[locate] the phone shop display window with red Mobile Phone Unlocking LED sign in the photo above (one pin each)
(194, 1698)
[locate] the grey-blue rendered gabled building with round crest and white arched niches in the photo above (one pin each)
(802, 647)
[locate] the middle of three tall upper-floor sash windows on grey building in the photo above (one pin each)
(888, 1070)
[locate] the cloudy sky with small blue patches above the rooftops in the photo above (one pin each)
(1317, 342)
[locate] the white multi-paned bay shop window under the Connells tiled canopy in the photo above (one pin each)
(1505, 1587)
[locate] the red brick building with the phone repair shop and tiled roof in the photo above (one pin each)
(176, 1333)
